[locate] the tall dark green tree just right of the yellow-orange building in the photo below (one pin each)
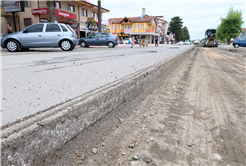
(175, 26)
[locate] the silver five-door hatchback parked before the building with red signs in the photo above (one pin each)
(41, 35)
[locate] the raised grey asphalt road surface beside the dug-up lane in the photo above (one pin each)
(38, 79)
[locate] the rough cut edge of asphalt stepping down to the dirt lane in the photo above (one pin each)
(25, 141)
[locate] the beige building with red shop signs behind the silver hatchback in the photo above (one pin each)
(73, 12)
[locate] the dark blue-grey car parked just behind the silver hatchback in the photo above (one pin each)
(99, 39)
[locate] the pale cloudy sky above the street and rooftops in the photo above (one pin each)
(197, 15)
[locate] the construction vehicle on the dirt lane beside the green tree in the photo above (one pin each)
(210, 38)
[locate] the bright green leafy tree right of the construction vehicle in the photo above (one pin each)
(230, 27)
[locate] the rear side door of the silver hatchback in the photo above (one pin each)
(52, 35)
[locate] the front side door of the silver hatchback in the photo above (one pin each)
(32, 36)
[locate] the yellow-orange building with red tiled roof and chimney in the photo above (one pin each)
(141, 26)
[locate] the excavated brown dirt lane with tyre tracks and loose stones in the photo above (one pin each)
(197, 117)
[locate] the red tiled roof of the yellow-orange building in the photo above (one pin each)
(133, 19)
